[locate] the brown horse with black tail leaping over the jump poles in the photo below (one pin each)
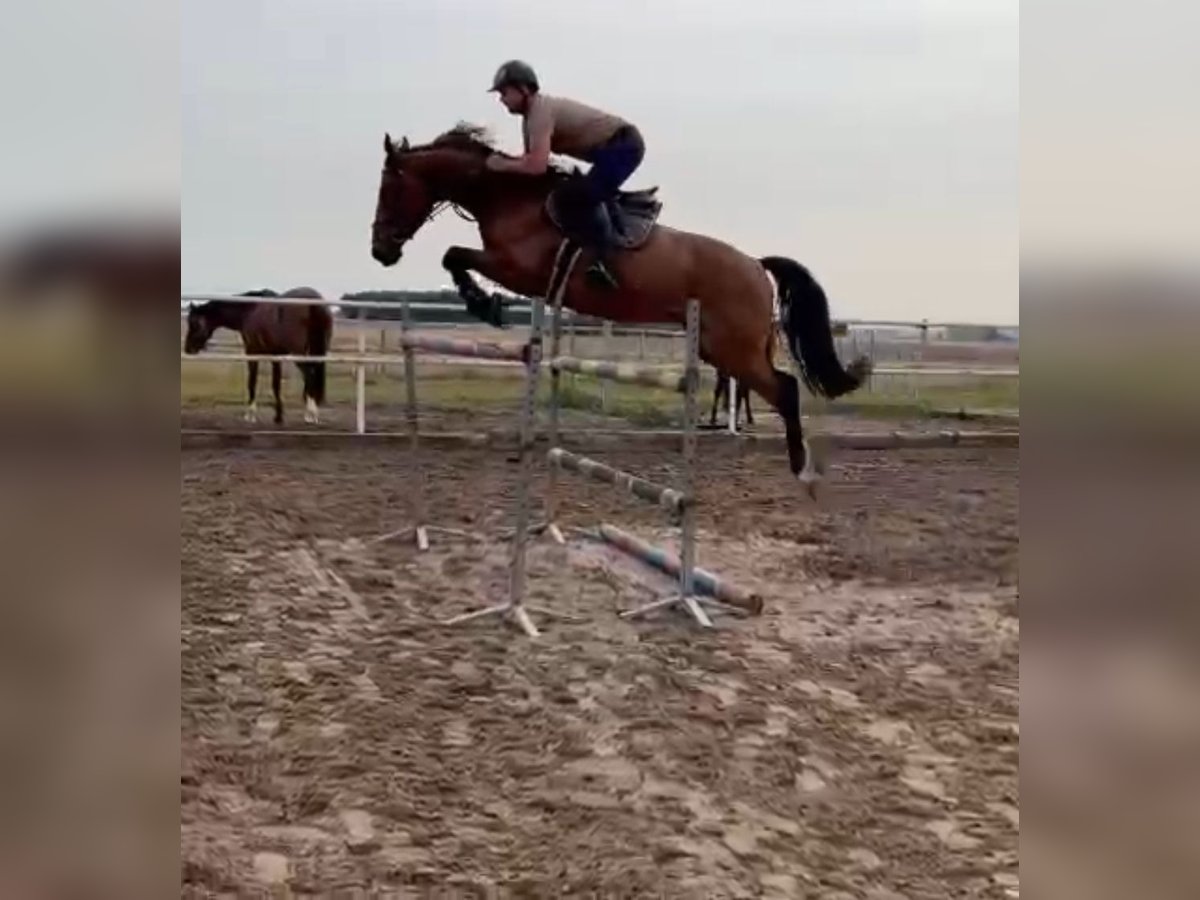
(659, 271)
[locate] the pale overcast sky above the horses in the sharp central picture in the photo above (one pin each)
(875, 142)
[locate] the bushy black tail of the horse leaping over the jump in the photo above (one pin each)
(805, 316)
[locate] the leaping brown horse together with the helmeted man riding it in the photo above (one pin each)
(523, 225)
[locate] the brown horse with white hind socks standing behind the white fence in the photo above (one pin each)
(271, 329)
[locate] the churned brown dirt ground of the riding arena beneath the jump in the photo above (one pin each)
(860, 740)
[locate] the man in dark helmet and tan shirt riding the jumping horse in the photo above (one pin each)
(559, 125)
